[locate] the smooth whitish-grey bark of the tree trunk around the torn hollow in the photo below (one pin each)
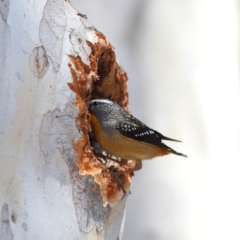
(42, 194)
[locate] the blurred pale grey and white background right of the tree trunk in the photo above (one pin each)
(182, 60)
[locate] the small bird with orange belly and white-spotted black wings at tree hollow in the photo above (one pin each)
(124, 136)
